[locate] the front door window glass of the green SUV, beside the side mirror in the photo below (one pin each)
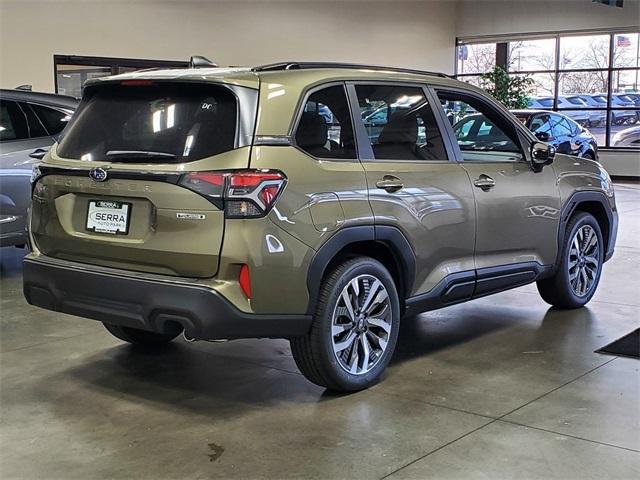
(482, 133)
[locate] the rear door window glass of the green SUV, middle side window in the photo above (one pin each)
(400, 123)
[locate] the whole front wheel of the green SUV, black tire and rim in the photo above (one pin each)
(576, 279)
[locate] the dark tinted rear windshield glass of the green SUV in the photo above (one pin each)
(156, 123)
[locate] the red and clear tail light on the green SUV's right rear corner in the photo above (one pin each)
(242, 193)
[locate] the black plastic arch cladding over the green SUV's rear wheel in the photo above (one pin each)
(383, 243)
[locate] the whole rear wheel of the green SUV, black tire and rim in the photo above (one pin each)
(321, 354)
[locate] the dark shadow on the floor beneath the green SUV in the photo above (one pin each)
(201, 381)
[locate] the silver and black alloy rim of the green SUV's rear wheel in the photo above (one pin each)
(361, 324)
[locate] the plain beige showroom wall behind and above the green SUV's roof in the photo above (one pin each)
(419, 34)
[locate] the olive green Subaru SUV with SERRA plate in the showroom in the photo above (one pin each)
(316, 202)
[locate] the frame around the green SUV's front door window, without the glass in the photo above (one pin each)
(520, 130)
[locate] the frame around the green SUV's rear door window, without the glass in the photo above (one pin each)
(365, 152)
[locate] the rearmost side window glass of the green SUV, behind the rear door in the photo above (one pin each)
(325, 128)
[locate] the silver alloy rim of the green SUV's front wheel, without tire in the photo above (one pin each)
(584, 260)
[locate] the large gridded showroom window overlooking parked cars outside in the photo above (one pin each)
(594, 79)
